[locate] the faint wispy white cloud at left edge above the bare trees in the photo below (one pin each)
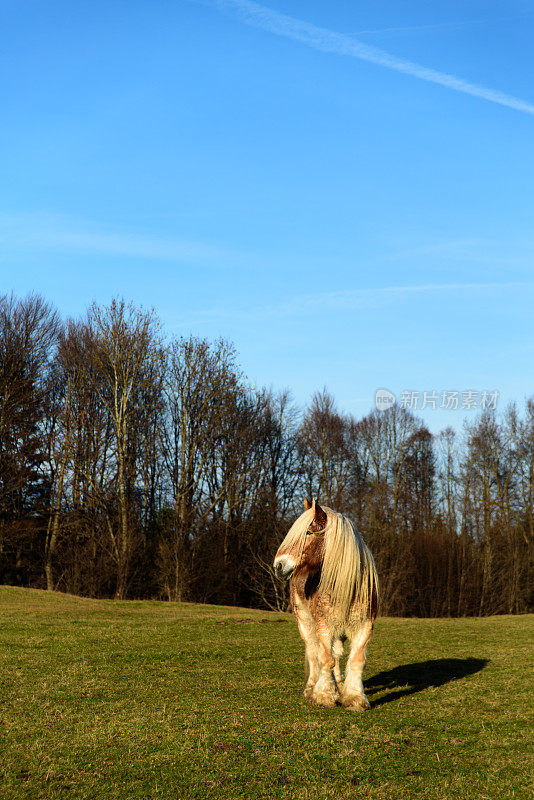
(59, 233)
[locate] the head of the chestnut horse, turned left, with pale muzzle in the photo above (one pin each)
(302, 549)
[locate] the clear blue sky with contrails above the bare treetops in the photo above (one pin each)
(342, 189)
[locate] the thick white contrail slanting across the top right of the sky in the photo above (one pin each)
(329, 41)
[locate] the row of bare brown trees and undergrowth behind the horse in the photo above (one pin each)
(135, 466)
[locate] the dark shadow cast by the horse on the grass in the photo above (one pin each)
(411, 678)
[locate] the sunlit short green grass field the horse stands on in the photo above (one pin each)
(104, 699)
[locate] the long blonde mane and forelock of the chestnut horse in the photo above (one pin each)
(348, 573)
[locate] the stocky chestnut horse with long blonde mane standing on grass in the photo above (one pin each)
(334, 597)
